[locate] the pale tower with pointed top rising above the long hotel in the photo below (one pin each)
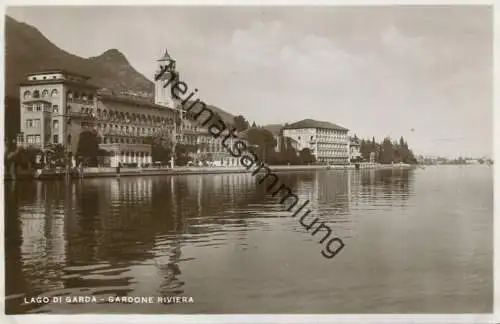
(164, 78)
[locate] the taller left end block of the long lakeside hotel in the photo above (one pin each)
(55, 107)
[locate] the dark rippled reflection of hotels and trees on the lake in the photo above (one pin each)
(96, 236)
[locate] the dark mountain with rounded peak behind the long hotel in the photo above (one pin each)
(28, 50)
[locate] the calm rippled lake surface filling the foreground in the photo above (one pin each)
(417, 241)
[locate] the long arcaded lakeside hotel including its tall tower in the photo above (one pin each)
(57, 105)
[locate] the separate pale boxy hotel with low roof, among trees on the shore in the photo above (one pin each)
(328, 145)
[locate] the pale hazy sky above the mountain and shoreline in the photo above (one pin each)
(379, 71)
